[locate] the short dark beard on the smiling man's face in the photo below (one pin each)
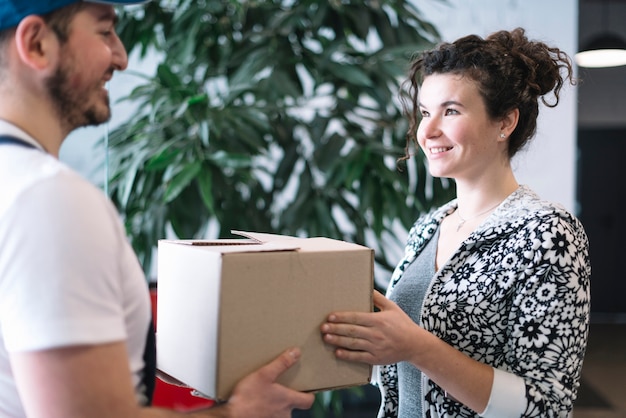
(72, 105)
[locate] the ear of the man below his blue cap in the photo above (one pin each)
(36, 42)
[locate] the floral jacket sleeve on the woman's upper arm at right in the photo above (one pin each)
(550, 314)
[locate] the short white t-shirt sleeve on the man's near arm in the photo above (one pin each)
(59, 264)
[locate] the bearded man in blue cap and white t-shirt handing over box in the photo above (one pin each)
(74, 304)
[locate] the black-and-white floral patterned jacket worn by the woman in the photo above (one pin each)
(515, 295)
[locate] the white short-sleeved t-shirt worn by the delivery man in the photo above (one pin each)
(68, 275)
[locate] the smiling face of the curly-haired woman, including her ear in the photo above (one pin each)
(456, 134)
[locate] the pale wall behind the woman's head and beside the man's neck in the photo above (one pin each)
(549, 164)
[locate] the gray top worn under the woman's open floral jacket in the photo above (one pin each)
(409, 295)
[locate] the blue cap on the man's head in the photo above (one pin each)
(13, 11)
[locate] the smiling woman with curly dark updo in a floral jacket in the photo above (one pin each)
(487, 314)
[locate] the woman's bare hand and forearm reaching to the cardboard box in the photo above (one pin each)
(390, 336)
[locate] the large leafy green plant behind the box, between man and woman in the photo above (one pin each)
(275, 116)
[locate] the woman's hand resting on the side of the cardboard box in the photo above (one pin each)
(376, 338)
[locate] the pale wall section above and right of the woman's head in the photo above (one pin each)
(549, 165)
